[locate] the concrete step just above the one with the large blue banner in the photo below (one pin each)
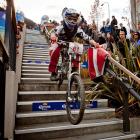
(43, 95)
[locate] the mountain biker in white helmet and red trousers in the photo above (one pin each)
(66, 32)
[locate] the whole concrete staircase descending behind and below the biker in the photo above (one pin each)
(99, 122)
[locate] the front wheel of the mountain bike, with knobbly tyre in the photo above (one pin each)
(75, 100)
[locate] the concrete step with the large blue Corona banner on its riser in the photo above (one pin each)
(40, 105)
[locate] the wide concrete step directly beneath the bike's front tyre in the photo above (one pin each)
(59, 130)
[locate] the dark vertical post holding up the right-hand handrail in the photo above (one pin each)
(126, 121)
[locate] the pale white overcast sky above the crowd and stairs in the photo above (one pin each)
(35, 9)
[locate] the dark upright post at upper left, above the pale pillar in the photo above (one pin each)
(10, 34)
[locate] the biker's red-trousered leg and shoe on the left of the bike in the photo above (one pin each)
(53, 63)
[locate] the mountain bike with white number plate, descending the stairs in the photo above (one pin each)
(75, 95)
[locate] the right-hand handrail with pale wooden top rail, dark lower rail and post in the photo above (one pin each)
(127, 88)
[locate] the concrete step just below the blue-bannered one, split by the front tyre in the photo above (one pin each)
(29, 118)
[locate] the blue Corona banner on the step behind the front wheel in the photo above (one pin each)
(36, 106)
